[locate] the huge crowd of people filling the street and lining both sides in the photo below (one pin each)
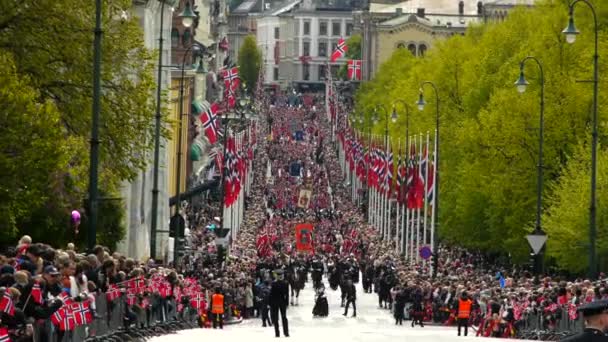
(267, 266)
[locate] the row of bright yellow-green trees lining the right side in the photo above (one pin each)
(489, 132)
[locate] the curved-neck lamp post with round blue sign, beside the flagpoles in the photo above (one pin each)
(421, 103)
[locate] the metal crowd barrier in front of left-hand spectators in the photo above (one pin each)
(117, 316)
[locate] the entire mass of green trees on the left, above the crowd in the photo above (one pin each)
(46, 68)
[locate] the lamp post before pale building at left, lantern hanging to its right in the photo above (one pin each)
(187, 19)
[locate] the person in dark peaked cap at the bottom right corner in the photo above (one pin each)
(596, 323)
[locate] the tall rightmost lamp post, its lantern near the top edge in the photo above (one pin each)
(571, 32)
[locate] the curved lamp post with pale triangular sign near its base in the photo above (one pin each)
(522, 84)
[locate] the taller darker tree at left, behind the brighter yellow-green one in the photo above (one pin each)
(51, 44)
